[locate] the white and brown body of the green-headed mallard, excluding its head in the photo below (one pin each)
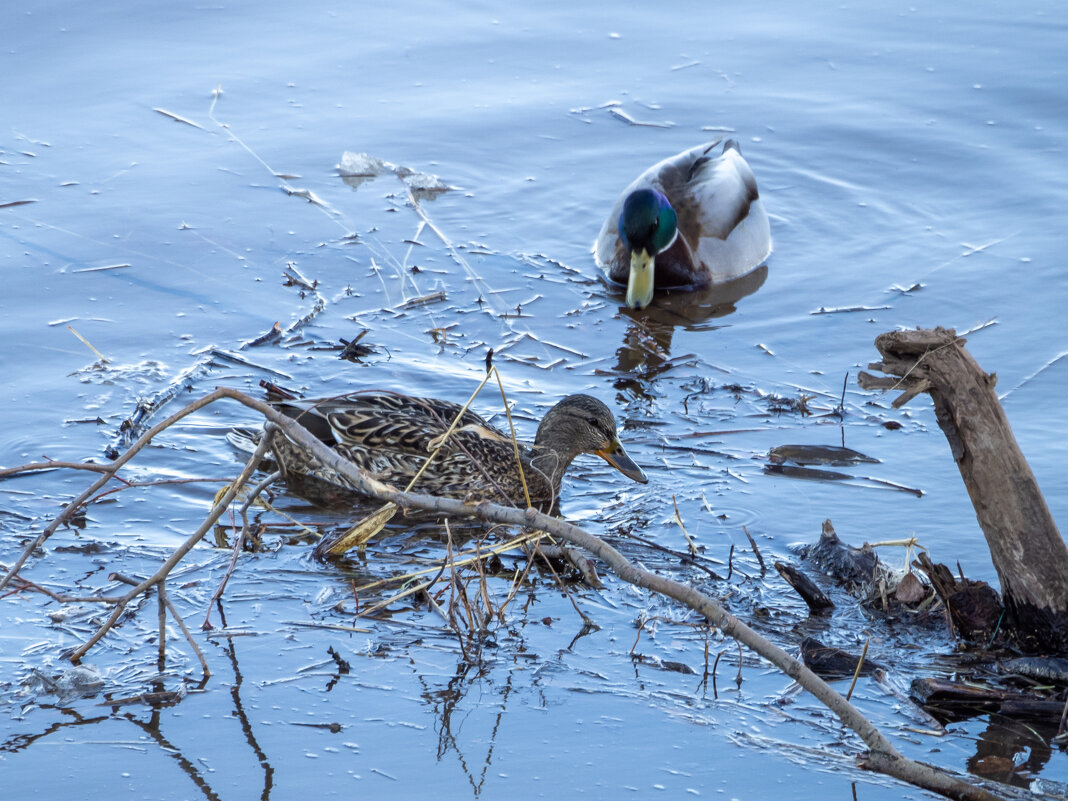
(724, 230)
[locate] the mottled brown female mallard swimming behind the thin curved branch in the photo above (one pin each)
(391, 436)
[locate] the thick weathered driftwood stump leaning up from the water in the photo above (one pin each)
(1028, 553)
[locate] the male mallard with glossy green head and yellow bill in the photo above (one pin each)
(696, 217)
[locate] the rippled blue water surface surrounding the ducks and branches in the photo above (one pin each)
(893, 147)
